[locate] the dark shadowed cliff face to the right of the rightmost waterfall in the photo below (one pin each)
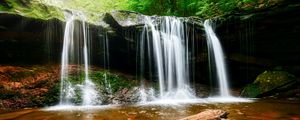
(262, 41)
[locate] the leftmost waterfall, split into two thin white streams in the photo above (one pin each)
(89, 93)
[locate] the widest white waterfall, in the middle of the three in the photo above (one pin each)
(166, 41)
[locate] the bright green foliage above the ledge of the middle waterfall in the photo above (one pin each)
(202, 8)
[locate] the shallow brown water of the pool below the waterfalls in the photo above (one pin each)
(259, 110)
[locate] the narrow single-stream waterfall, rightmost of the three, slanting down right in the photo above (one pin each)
(216, 57)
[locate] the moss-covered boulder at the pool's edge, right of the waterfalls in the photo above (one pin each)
(266, 82)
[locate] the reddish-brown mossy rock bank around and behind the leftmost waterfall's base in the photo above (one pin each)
(39, 86)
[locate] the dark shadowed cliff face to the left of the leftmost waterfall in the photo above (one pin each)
(28, 41)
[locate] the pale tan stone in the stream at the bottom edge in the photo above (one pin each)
(208, 114)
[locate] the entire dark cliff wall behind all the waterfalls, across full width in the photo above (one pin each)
(253, 42)
